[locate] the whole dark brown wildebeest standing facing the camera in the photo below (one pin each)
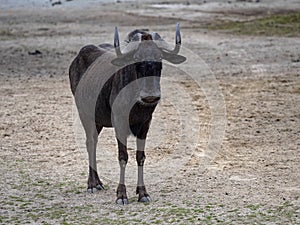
(120, 91)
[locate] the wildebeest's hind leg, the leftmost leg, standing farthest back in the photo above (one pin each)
(94, 182)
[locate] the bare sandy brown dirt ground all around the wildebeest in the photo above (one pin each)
(239, 108)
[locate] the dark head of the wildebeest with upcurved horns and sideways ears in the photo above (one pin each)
(146, 51)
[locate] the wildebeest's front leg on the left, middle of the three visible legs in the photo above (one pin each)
(123, 159)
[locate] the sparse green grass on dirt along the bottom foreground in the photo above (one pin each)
(43, 202)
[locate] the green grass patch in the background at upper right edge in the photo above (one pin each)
(274, 25)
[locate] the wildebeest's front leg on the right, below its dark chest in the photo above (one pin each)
(140, 158)
